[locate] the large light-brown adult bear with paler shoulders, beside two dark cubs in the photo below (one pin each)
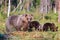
(18, 22)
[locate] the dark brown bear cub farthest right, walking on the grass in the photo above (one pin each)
(50, 26)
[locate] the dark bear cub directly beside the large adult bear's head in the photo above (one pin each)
(36, 25)
